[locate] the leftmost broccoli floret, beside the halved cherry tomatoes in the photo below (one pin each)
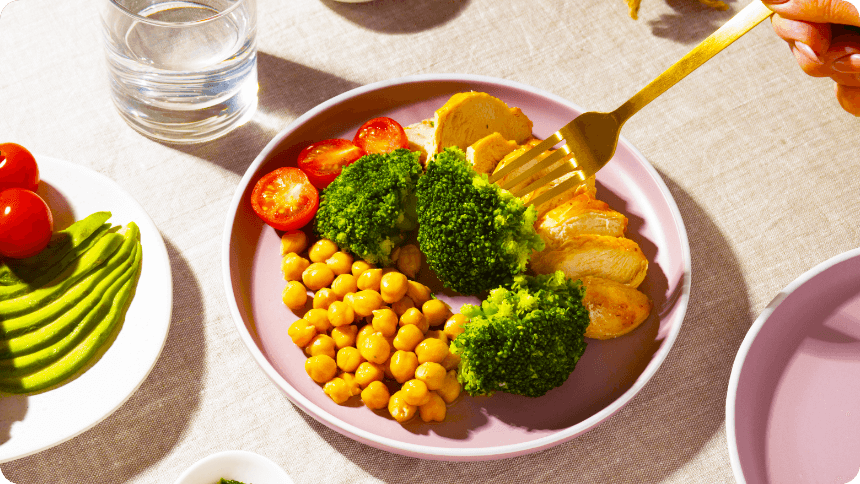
(371, 204)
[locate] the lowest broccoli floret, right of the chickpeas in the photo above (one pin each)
(524, 339)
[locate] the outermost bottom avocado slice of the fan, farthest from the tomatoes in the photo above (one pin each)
(77, 349)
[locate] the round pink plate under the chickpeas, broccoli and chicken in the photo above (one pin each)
(608, 375)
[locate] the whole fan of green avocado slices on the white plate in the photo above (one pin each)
(59, 321)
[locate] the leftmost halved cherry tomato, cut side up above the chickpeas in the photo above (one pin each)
(285, 199)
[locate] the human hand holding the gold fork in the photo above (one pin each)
(820, 35)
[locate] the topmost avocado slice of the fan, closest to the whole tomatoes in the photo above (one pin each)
(66, 245)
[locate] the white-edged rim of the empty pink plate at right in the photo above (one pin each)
(749, 339)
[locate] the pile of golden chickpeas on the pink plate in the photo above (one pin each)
(370, 332)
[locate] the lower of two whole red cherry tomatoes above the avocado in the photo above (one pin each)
(26, 223)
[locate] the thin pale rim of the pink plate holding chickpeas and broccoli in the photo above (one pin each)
(450, 453)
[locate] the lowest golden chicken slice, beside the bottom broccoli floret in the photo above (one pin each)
(614, 309)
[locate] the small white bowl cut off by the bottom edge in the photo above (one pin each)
(238, 465)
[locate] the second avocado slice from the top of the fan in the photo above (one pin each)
(89, 260)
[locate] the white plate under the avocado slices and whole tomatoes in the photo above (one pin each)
(32, 423)
